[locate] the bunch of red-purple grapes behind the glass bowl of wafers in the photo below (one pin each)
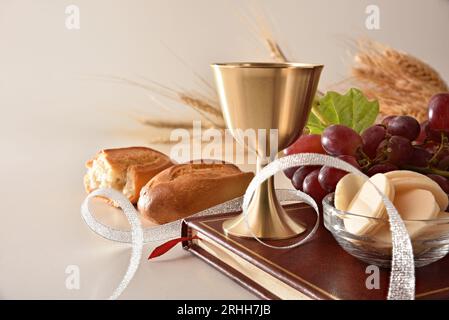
(398, 143)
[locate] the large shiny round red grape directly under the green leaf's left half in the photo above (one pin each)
(340, 140)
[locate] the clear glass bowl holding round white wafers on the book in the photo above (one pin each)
(430, 238)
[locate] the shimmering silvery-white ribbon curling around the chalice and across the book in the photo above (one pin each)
(402, 277)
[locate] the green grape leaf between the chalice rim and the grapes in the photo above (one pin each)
(352, 109)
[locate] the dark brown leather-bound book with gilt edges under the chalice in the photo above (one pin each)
(319, 269)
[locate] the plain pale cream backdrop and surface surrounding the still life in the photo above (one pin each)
(55, 115)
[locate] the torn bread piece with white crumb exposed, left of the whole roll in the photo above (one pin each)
(124, 169)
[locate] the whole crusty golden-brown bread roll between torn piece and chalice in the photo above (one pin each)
(185, 189)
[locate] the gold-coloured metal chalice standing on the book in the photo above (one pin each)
(274, 98)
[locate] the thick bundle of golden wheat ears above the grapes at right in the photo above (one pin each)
(403, 84)
